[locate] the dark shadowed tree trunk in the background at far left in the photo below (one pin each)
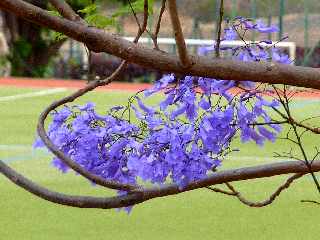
(30, 52)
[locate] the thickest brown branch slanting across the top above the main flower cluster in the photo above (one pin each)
(101, 41)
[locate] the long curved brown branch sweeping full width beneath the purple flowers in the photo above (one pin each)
(143, 195)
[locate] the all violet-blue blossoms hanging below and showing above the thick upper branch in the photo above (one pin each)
(180, 140)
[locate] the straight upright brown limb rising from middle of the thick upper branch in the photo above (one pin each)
(178, 34)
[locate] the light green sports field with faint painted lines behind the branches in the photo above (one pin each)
(194, 215)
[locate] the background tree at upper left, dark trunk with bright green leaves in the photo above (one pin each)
(33, 47)
